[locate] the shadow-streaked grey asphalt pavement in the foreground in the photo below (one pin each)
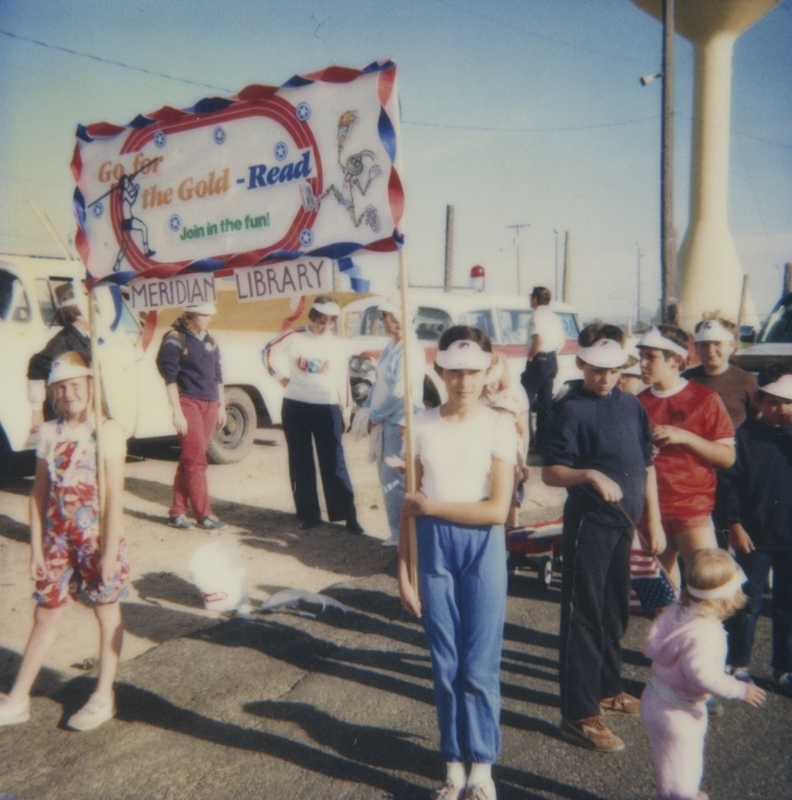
(339, 705)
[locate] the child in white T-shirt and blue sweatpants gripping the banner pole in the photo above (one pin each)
(464, 463)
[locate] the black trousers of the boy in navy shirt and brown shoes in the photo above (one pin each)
(595, 600)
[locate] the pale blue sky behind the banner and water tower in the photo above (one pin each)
(515, 112)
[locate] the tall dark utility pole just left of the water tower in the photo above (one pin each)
(668, 245)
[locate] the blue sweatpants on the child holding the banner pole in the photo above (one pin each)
(462, 580)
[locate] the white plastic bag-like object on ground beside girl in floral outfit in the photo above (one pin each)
(216, 569)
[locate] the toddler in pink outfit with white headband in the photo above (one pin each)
(687, 645)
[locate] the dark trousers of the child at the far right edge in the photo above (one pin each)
(742, 626)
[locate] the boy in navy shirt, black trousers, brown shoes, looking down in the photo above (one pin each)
(600, 448)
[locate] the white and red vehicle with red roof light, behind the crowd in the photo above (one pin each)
(504, 318)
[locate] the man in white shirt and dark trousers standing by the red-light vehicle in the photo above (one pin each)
(545, 338)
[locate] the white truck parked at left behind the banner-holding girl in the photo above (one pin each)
(127, 351)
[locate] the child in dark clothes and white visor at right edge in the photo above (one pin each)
(759, 515)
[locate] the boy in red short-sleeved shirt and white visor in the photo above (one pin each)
(693, 434)
